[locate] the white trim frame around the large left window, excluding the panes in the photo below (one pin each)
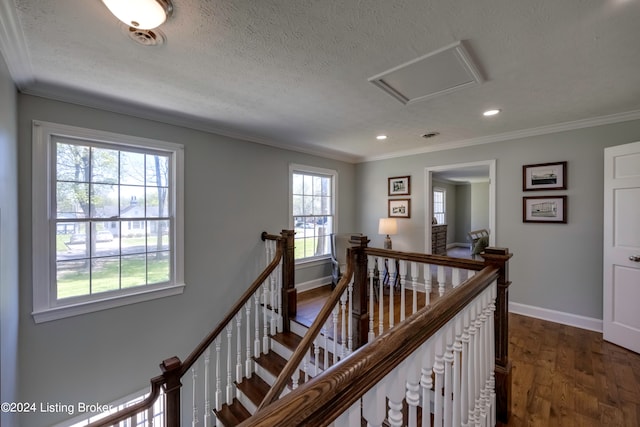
(43, 249)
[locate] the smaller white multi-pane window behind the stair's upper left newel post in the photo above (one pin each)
(313, 206)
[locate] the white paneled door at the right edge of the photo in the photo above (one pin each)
(621, 323)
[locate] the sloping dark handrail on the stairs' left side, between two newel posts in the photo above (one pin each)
(208, 340)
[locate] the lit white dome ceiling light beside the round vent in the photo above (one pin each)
(141, 14)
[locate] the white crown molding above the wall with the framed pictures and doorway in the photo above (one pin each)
(524, 133)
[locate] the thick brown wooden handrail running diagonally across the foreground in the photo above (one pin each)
(321, 400)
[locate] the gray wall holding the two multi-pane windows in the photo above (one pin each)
(233, 191)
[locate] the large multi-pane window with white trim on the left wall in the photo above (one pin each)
(107, 223)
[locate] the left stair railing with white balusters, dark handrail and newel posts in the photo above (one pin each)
(225, 356)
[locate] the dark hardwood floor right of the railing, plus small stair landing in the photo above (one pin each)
(562, 376)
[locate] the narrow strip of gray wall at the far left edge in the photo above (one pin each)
(9, 314)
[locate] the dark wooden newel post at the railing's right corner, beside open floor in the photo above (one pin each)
(499, 257)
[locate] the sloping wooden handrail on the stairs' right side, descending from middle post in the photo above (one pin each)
(294, 361)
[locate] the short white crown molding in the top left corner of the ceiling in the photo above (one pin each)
(13, 45)
